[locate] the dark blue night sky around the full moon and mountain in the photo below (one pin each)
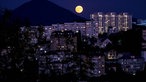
(135, 7)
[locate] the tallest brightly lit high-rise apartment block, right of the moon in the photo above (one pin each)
(111, 22)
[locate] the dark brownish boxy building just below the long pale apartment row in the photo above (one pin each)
(64, 41)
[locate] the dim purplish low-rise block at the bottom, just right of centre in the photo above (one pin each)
(95, 66)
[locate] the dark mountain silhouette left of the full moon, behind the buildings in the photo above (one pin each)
(45, 13)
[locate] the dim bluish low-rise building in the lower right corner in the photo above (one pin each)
(132, 64)
